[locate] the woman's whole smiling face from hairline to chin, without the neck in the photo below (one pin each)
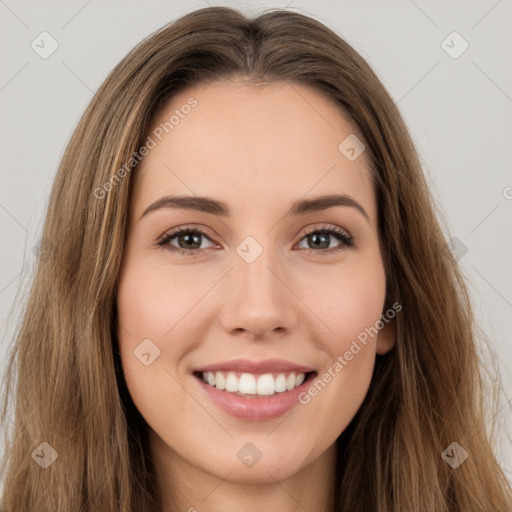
(262, 281)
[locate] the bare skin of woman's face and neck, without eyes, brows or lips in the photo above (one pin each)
(257, 149)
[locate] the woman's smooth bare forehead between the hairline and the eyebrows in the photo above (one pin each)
(251, 146)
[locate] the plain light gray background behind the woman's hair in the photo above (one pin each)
(457, 109)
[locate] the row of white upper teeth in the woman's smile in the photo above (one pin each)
(249, 384)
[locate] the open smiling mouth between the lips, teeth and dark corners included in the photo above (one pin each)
(255, 385)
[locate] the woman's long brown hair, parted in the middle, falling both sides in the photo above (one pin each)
(64, 379)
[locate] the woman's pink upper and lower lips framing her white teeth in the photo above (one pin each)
(255, 408)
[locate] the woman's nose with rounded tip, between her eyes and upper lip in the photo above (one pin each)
(259, 301)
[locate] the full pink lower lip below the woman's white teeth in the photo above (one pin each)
(255, 409)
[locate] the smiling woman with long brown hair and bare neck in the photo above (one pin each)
(248, 302)
